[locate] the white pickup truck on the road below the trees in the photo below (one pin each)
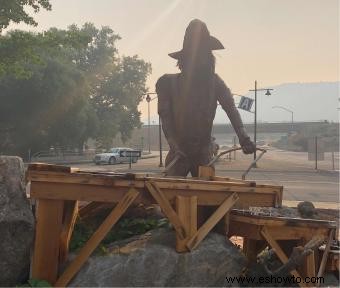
(114, 156)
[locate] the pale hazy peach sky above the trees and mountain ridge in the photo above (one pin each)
(273, 41)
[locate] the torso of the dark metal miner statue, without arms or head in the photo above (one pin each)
(193, 106)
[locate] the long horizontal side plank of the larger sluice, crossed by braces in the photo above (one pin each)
(99, 193)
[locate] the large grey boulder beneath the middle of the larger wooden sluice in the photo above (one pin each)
(151, 260)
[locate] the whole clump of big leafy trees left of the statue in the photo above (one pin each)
(74, 87)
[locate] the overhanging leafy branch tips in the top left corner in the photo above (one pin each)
(14, 10)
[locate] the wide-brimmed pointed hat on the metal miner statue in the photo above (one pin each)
(196, 37)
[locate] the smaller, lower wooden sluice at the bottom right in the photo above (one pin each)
(283, 234)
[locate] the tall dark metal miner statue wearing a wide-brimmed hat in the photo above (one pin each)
(187, 103)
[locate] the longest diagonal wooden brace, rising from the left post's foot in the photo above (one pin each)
(96, 238)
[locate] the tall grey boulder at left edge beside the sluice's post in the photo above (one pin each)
(16, 222)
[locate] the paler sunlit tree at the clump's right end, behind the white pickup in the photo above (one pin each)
(117, 99)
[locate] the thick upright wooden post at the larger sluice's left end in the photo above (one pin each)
(49, 215)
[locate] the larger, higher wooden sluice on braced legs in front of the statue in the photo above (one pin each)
(58, 189)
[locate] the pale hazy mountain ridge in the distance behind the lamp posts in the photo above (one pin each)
(308, 101)
